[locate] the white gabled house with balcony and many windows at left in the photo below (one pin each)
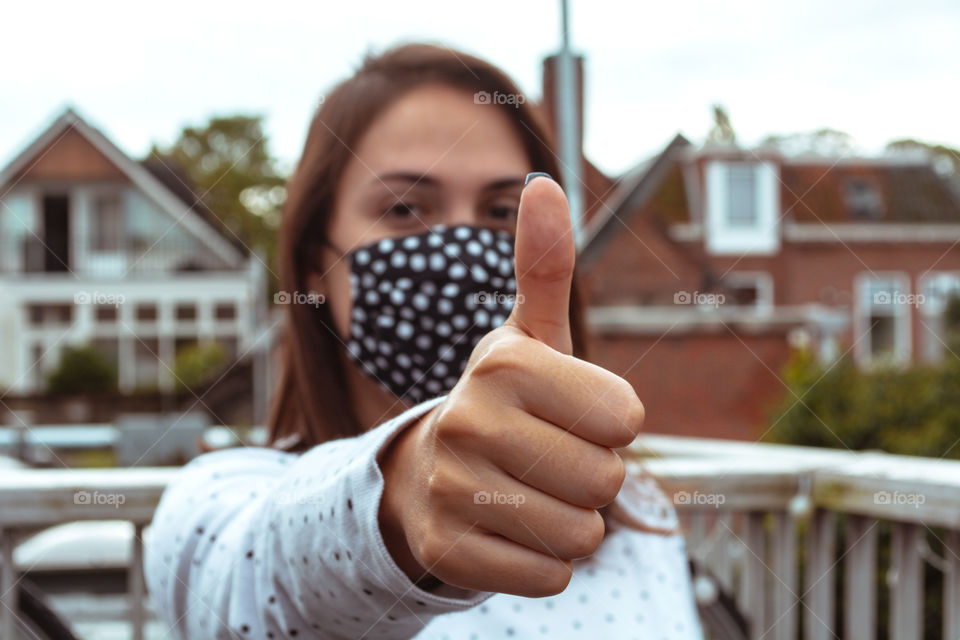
(97, 248)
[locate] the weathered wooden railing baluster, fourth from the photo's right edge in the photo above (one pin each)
(821, 542)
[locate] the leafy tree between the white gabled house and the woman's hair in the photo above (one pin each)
(228, 165)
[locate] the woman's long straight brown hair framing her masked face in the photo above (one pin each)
(312, 403)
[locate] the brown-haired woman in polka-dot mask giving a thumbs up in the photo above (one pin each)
(442, 460)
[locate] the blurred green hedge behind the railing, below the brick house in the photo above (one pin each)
(910, 411)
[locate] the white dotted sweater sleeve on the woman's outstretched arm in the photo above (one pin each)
(256, 543)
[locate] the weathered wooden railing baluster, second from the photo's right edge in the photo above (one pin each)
(906, 582)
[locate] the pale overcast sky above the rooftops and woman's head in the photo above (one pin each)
(877, 70)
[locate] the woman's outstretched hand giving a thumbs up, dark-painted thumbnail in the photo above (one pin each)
(497, 488)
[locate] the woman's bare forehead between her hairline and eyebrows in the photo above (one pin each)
(439, 130)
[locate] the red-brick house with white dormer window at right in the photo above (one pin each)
(706, 266)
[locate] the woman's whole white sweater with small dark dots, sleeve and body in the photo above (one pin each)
(257, 543)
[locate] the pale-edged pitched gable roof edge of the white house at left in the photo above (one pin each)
(187, 213)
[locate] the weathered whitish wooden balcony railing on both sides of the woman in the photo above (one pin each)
(793, 535)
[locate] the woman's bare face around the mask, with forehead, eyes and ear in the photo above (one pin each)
(434, 156)
